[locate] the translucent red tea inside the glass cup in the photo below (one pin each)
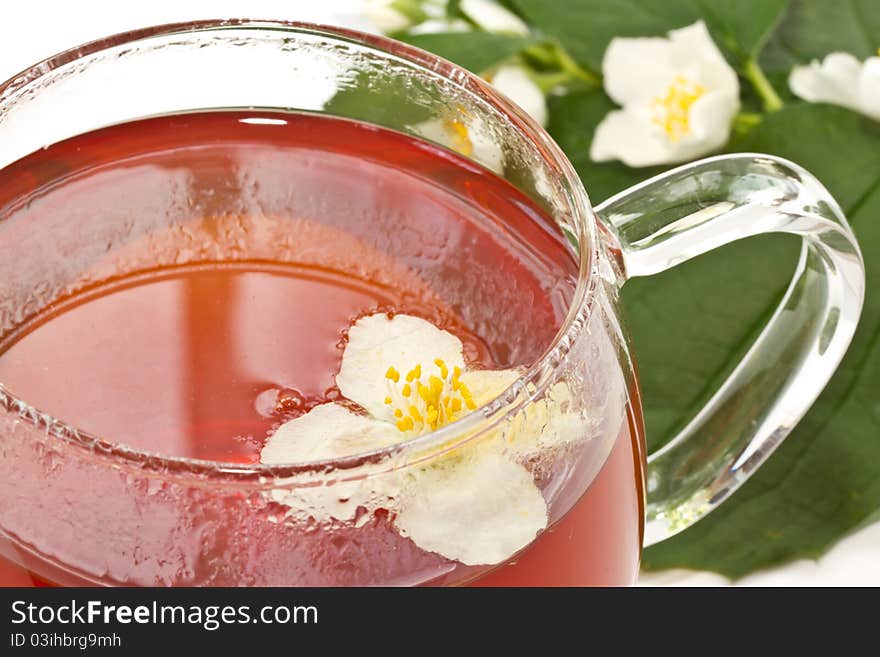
(230, 254)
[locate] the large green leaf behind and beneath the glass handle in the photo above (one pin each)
(825, 479)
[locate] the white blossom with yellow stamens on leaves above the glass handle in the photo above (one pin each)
(678, 96)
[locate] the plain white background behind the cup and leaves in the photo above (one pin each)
(31, 31)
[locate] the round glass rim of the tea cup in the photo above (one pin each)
(531, 382)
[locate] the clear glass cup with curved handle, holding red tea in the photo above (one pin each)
(77, 508)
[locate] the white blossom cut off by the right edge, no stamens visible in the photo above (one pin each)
(840, 79)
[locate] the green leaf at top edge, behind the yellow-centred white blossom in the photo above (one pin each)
(586, 27)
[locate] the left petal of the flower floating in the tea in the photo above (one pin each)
(327, 431)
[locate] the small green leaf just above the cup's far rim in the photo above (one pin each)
(475, 51)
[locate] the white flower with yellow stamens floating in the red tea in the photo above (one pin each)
(477, 504)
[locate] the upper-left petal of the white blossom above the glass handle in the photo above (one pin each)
(636, 70)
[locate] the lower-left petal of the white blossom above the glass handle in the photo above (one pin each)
(634, 141)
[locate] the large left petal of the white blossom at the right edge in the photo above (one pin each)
(835, 80)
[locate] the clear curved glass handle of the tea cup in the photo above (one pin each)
(696, 208)
